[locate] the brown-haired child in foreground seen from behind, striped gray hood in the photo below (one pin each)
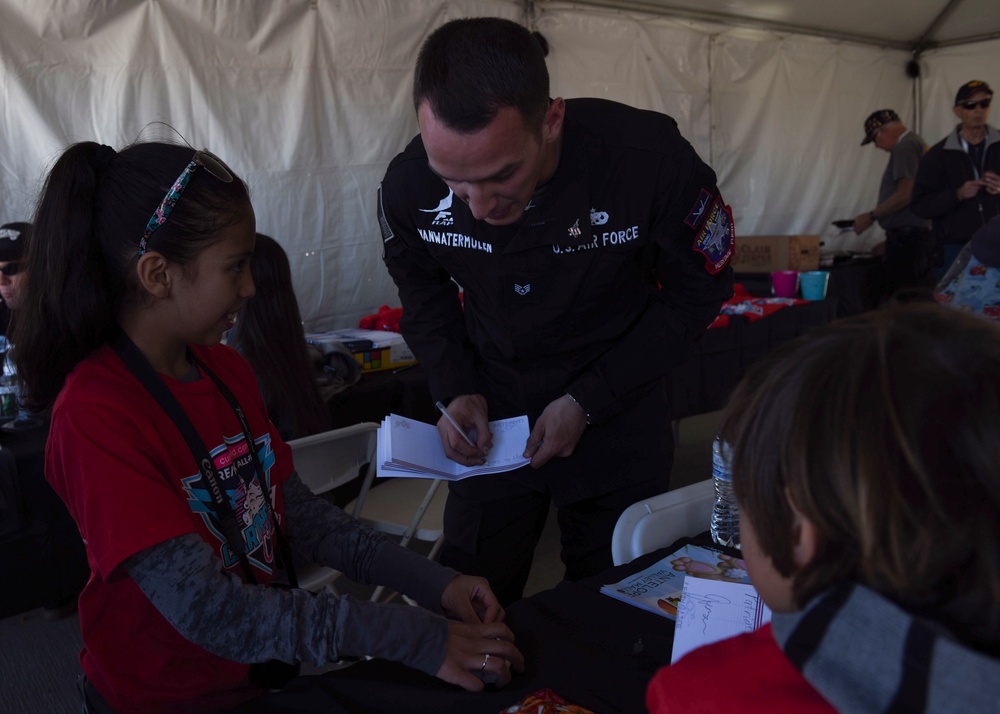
(865, 462)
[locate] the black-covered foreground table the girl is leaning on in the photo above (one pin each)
(589, 648)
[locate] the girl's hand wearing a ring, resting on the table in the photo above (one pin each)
(480, 654)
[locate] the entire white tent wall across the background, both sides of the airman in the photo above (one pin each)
(309, 100)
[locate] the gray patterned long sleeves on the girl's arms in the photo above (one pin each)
(245, 623)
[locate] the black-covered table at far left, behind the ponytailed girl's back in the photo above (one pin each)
(47, 561)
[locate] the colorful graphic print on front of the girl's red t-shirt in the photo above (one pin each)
(237, 476)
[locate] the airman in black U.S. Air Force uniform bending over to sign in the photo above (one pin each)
(592, 246)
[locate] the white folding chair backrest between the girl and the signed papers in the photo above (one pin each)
(333, 458)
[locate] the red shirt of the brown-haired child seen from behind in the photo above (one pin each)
(747, 674)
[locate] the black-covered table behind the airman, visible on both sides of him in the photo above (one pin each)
(699, 385)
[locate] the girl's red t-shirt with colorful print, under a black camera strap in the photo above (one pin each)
(131, 482)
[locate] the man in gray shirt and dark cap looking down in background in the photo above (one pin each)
(907, 245)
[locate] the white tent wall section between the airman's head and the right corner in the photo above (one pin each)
(779, 117)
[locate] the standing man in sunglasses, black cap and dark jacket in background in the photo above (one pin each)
(958, 182)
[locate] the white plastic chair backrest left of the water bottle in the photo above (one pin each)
(659, 521)
